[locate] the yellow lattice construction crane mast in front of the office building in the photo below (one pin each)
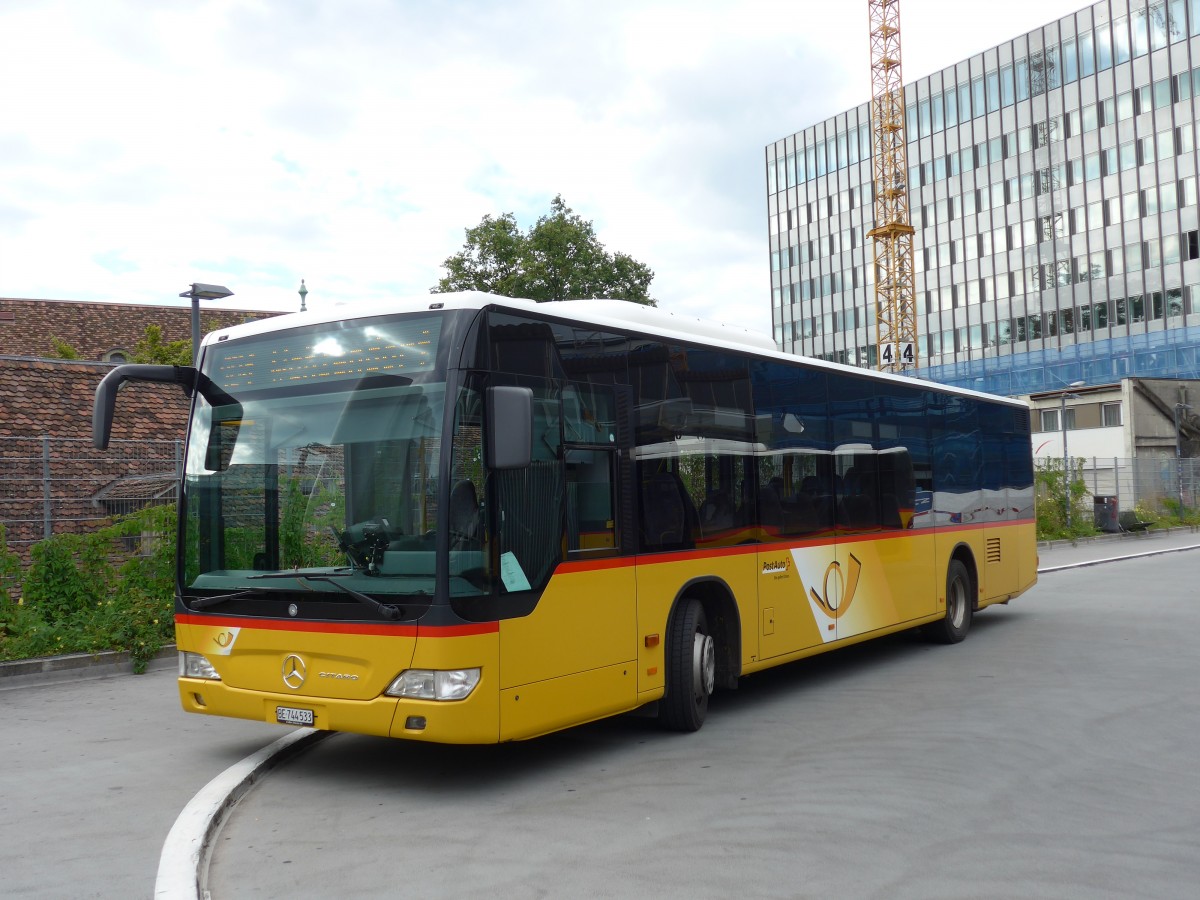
(896, 311)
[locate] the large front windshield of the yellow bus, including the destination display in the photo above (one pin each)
(317, 458)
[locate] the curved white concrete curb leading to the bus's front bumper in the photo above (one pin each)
(184, 863)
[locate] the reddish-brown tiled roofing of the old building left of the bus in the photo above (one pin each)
(46, 406)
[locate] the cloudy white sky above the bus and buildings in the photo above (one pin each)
(147, 145)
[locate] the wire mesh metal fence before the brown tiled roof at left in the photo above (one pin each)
(64, 485)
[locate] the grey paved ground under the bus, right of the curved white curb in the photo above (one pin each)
(1051, 755)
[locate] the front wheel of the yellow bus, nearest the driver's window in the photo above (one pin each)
(691, 669)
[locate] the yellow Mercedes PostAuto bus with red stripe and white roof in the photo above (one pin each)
(469, 519)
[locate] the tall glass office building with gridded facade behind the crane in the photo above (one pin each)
(1053, 189)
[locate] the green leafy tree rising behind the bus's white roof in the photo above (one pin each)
(559, 259)
